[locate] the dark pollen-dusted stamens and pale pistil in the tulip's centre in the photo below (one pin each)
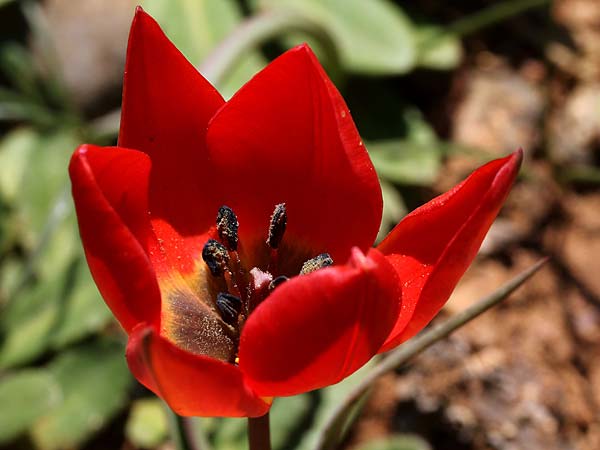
(246, 289)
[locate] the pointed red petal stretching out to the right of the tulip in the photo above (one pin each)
(433, 246)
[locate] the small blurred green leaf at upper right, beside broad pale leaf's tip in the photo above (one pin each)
(437, 50)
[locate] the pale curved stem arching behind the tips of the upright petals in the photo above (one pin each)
(255, 31)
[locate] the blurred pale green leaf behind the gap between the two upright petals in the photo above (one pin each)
(196, 27)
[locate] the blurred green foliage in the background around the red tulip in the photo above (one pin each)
(64, 383)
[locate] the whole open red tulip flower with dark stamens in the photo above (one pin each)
(232, 239)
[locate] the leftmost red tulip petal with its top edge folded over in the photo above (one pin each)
(110, 194)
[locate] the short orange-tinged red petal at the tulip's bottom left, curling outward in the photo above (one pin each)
(192, 385)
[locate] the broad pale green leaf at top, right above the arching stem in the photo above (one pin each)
(377, 38)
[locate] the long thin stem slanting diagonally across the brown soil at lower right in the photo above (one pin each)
(396, 358)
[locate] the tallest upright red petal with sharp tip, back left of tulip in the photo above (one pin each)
(166, 108)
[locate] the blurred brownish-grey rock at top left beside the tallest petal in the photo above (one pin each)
(90, 38)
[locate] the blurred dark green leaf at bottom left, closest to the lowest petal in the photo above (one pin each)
(94, 380)
